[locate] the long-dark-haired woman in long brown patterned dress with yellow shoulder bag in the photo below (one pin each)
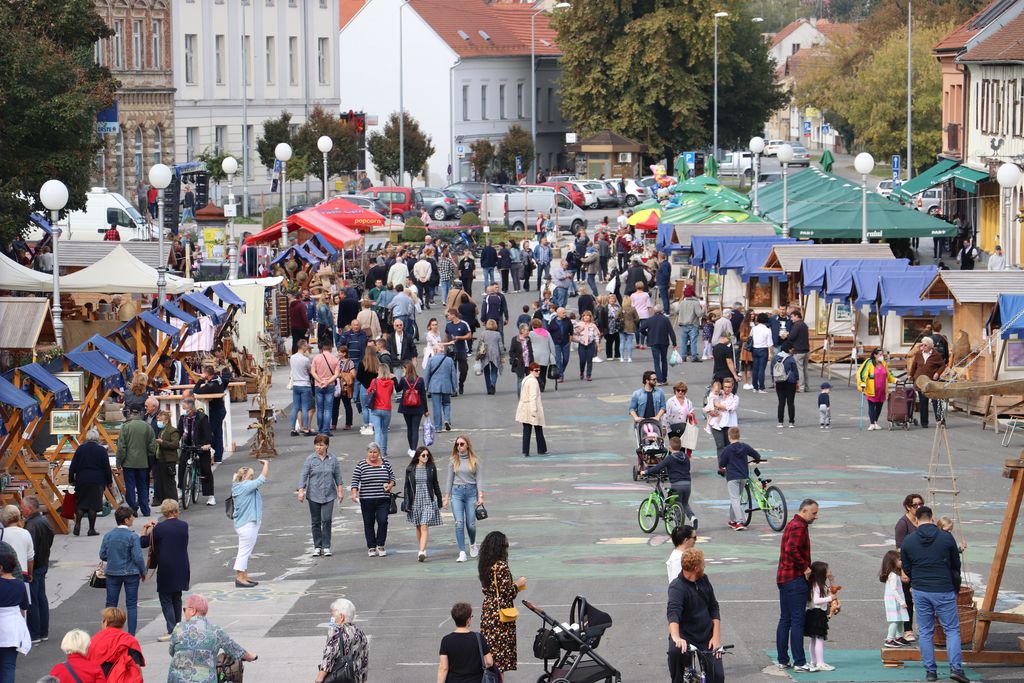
(499, 592)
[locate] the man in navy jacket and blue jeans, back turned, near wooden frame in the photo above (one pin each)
(931, 561)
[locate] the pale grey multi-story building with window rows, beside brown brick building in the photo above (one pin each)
(239, 64)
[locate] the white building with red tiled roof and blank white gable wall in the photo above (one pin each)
(466, 76)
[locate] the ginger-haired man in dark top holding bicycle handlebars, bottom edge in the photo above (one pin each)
(694, 621)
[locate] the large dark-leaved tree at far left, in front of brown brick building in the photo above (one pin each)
(51, 93)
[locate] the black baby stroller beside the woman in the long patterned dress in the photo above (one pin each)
(570, 648)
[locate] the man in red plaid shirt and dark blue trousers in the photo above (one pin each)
(794, 569)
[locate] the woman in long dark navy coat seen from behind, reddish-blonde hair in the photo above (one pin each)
(170, 541)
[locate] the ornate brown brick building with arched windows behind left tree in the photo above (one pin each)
(139, 55)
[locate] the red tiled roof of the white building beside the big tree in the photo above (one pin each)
(507, 28)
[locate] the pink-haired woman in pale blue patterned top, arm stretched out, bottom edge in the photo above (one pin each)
(196, 643)
